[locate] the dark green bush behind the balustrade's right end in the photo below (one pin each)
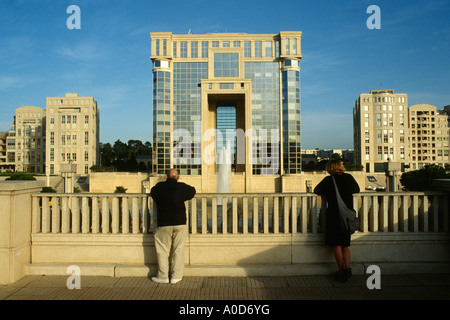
(422, 179)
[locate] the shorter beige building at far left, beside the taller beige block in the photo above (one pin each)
(25, 141)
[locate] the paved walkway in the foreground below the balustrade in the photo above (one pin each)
(393, 287)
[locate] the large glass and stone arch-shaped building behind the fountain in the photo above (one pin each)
(236, 89)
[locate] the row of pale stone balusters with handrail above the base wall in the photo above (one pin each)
(88, 213)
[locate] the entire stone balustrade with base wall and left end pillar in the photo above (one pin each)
(229, 234)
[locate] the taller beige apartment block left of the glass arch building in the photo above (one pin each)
(72, 133)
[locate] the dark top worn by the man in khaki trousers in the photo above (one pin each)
(170, 196)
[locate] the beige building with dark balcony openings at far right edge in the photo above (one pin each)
(429, 136)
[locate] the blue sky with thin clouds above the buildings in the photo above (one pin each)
(108, 58)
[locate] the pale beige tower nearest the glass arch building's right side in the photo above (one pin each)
(380, 124)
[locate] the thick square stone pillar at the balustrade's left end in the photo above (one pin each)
(15, 227)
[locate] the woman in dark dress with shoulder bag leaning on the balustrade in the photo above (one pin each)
(340, 242)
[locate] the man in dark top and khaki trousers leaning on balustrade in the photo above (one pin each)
(171, 231)
